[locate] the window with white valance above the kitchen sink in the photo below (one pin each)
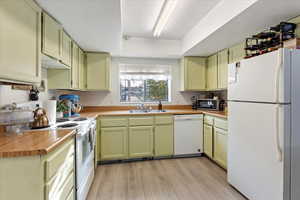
(145, 83)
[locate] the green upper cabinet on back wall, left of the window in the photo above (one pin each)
(98, 71)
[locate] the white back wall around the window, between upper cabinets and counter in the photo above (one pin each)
(113, 98)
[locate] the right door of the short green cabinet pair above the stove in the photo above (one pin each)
(66, 49)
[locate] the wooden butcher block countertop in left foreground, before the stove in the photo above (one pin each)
(32, 143)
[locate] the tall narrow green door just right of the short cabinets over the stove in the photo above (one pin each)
(75, 66)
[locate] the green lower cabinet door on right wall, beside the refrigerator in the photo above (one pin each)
(220, 147)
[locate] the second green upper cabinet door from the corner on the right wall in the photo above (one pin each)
(222, 69)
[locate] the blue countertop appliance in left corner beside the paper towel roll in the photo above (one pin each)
(72, 102)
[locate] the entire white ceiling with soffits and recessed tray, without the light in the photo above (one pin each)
(196, 27)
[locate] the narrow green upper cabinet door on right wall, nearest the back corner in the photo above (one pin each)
(212, 72)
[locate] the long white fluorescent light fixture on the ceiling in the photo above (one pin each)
(166, 11)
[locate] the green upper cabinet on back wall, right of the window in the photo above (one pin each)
(193, 74)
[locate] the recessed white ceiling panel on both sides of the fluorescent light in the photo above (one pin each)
(139, 17)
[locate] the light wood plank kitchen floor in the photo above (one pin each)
(171, 179)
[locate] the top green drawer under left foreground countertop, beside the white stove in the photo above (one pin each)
(57, 160)
